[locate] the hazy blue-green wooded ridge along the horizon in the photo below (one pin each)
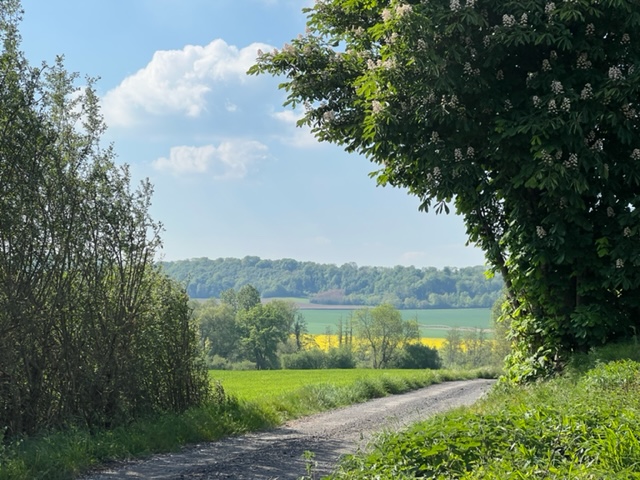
(348, 284)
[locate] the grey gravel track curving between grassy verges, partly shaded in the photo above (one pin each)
(278, 453)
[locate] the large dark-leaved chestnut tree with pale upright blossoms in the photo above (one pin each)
(523, 115)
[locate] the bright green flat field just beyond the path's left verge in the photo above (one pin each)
(261, 384)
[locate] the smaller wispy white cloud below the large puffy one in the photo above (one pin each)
(229, 160)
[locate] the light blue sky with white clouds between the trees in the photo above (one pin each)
(233, 175)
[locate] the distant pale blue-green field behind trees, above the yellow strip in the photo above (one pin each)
(433, 323)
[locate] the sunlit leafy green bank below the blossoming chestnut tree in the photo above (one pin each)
(582, 425)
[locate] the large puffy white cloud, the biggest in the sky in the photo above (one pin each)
(177, 81)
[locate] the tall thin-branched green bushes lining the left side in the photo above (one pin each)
(92, 333)
